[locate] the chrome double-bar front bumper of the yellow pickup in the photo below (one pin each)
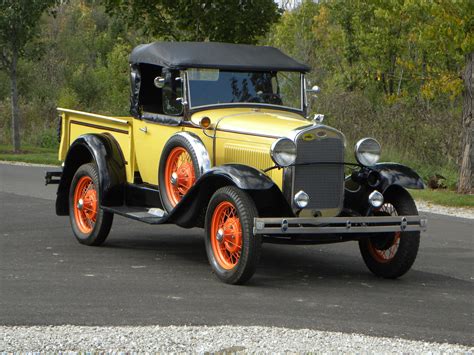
(338, 225)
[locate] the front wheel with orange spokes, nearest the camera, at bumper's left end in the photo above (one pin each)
(232, 249)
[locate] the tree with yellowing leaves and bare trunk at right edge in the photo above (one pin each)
(450, 37)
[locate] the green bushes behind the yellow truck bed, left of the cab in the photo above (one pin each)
(83, 65)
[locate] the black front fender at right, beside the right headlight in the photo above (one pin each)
(398, 174)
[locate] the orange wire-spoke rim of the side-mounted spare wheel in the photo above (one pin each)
(179, 174)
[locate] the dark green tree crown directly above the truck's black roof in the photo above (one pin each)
(237, 21)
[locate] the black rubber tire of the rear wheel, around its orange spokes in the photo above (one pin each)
(103, 220)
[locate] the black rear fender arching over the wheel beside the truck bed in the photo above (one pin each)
(104, 150)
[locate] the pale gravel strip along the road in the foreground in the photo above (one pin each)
(223, 339)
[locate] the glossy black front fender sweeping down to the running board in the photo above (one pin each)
(268, 198)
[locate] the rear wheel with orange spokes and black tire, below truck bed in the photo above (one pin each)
(90, 224)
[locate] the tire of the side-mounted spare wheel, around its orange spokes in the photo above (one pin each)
(174, 142)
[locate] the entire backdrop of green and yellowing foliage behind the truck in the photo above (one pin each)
(387, 68)
